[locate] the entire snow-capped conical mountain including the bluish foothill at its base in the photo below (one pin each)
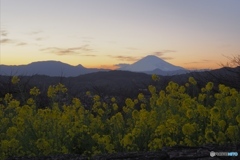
(153, 65)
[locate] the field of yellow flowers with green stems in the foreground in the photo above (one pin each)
(167, 117)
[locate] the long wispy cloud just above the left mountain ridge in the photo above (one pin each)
(68, 51)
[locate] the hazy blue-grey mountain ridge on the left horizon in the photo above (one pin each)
(49, 68)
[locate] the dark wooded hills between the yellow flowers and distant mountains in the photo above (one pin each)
(119, 84)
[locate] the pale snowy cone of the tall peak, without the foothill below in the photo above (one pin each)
(151, 63)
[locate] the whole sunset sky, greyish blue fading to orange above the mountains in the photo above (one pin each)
(108, 33)
